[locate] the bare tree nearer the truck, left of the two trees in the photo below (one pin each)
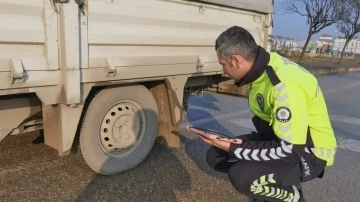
(319, 14)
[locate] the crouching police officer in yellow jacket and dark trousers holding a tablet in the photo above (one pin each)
(294, 141)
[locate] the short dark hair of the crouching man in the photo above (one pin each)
(236, 41)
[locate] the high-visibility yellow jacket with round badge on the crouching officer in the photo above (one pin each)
(289, 97)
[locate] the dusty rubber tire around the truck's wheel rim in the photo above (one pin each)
(92, 151)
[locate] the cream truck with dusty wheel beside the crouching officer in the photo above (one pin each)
(105, 79)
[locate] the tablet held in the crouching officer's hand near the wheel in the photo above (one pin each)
(213, 135)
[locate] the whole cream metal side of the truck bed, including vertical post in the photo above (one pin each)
(115, 40)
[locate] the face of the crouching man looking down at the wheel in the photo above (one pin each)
(233, 67)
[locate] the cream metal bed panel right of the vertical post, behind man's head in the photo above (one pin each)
(128, 30)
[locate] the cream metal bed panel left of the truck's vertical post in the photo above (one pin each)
(28, 29)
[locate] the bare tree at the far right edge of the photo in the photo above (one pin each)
(349, 23)
